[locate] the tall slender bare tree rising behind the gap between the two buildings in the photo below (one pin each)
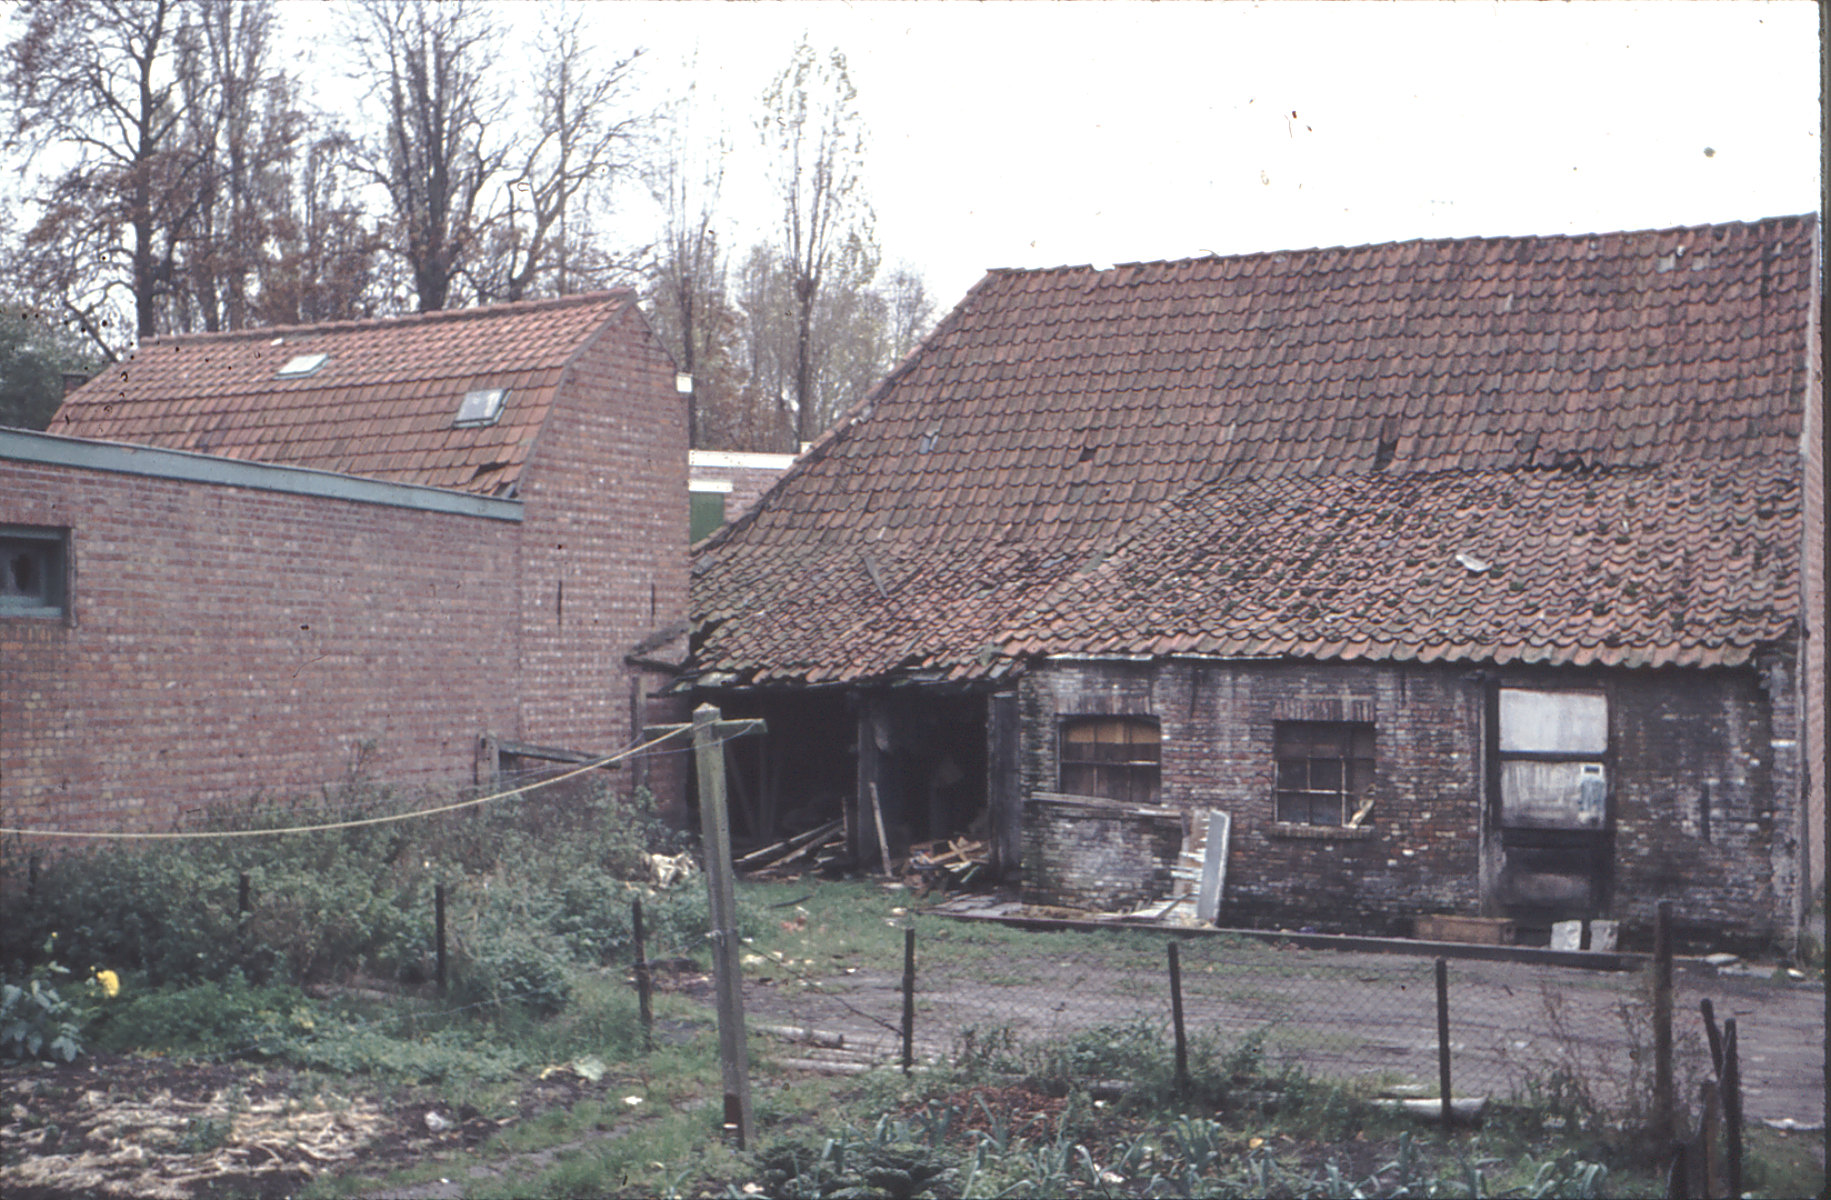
(816, 136)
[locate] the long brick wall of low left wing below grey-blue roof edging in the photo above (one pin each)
(228, 642)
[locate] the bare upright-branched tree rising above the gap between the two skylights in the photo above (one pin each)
(439, 155)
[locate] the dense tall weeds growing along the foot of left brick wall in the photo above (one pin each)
(536, 893)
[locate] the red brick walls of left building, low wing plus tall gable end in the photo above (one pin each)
(233, 640)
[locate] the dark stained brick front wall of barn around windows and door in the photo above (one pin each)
(1671, 734)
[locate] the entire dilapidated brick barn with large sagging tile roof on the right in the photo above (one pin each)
(1464, 576)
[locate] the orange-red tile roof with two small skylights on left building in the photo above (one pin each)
(382, 406)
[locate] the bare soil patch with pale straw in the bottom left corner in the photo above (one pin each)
(114, 1126)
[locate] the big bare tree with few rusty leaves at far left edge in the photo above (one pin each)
(98, 80)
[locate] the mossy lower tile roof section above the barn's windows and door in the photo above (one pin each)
(1627, 567)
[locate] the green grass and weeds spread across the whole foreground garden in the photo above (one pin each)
(539, 1067)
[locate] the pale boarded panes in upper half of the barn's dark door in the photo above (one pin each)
(1550, 759)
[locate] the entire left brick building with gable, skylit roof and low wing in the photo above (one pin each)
(415, 551)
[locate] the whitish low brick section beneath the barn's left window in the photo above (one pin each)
(1083, 853)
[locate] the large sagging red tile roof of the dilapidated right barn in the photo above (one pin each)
(1054, 411)
